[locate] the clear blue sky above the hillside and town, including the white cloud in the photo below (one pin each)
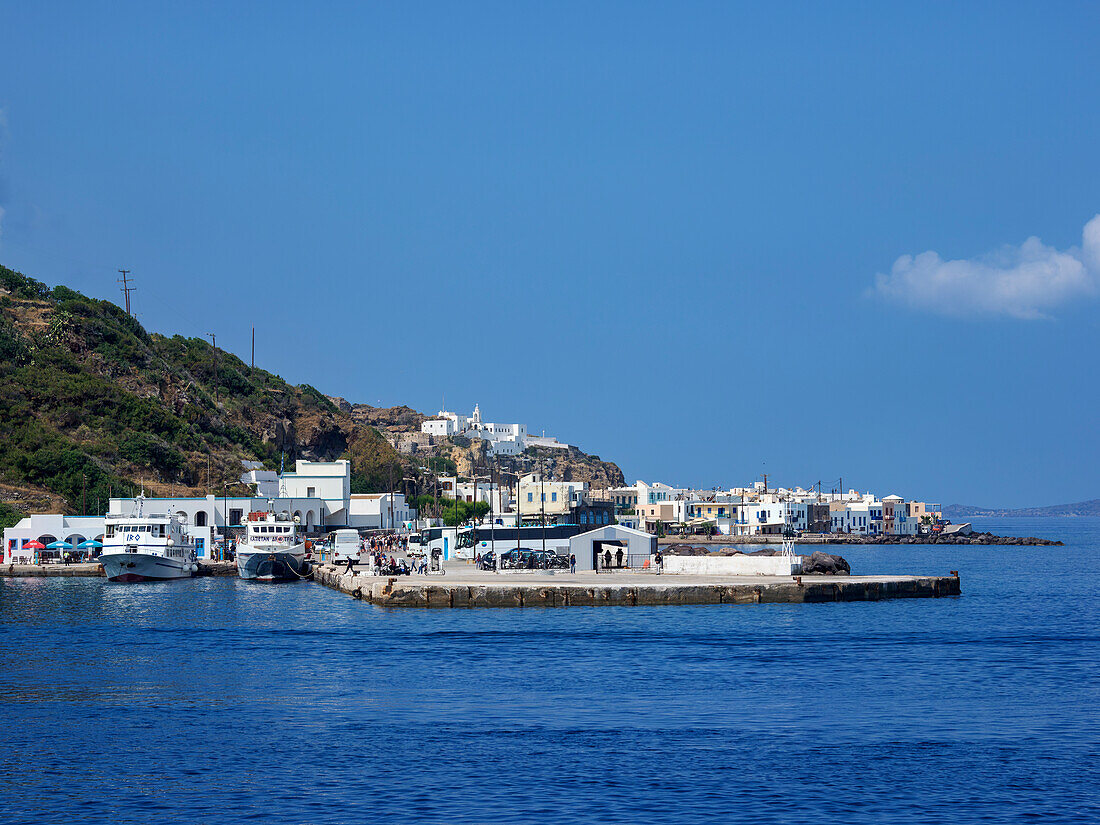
(672, 234)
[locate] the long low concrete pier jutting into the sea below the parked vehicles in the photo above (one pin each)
(475, 589)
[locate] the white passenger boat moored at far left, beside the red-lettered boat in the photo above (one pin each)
(147, 547)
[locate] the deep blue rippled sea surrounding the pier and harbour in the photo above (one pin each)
(216, 700)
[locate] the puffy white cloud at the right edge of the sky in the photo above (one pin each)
(1019, 282)
